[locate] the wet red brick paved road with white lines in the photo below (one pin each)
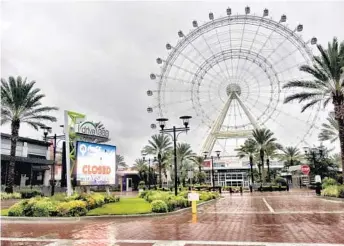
(269, 219)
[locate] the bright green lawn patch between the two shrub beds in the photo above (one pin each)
(129, 205)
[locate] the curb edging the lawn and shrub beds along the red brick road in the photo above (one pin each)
(71, 219)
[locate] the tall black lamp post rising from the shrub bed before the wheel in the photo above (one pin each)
(174, 130)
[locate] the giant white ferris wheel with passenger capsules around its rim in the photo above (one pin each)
(228, 74)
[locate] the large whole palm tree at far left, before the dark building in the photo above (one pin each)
(21, 103)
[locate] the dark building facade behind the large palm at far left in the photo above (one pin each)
(32, 161)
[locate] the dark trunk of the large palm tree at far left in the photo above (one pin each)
(11, 167)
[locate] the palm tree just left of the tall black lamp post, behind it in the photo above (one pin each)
(158, 145)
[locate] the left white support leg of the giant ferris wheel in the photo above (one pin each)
(210, 140)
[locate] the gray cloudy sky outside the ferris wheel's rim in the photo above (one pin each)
(96, 57)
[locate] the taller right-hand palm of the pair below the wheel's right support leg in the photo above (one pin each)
(262, 138)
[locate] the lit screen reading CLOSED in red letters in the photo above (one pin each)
(96, 164)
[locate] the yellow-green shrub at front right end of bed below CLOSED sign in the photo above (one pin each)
(72, 208)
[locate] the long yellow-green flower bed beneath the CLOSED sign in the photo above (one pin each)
(60, 205)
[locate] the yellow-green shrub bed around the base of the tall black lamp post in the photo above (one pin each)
(163, 201)
